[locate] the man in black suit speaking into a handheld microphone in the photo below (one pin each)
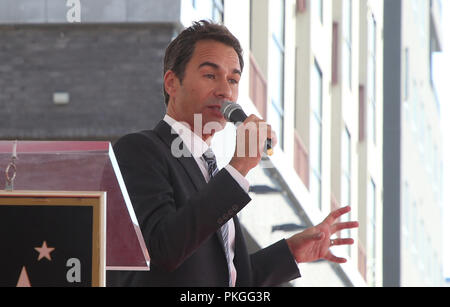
(186, 207)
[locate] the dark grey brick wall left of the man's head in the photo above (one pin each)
(113, 74)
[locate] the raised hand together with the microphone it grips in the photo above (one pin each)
(252, 138)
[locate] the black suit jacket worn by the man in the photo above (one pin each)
(180, 216)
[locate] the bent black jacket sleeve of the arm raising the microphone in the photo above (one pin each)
(172, 232)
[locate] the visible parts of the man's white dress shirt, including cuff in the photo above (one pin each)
(198, 147)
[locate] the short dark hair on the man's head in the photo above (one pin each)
(180, 50)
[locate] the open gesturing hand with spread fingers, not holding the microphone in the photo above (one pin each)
(314, 243)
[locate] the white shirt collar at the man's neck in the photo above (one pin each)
(193, 142)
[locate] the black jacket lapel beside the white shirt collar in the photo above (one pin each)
(171, 138)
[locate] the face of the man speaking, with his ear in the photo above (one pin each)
(211, 77)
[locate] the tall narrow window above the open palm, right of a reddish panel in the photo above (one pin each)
(316, 135)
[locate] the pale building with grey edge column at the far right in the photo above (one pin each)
(413, 146)
